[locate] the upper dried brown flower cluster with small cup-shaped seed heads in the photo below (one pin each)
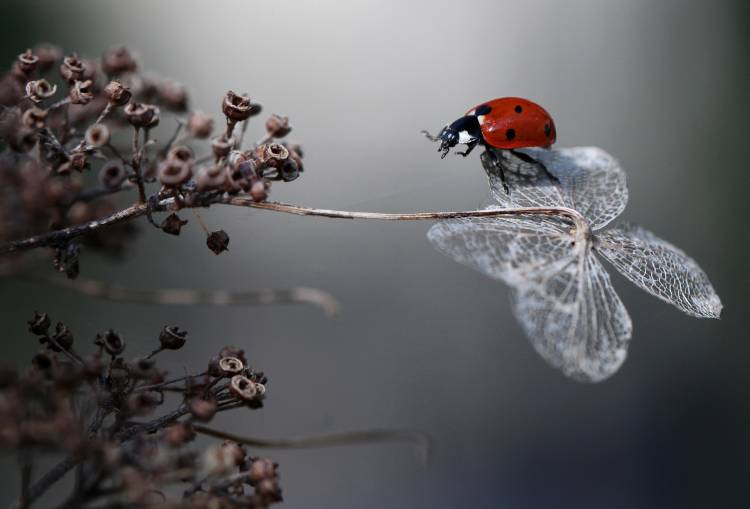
(63, 117)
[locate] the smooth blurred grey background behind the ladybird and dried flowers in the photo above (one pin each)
(423, 342)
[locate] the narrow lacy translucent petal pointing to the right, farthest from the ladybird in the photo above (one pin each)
(660, 268)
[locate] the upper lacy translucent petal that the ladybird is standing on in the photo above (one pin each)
(591, 181)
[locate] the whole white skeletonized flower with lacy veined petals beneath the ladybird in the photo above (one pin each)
(562, 295)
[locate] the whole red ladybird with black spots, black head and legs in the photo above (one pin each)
(507, 123)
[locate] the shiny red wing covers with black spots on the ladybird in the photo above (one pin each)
(514, 122)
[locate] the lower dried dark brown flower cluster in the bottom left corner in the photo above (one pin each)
(105, 412)
